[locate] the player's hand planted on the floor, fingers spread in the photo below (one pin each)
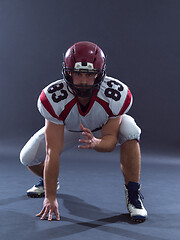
(49, 208)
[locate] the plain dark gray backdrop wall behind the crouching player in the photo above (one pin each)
(140, 37)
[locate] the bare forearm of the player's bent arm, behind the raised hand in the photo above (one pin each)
(105, 144)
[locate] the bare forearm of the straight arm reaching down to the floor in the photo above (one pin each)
(51, 172)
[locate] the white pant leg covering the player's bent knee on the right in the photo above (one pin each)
(128, 129)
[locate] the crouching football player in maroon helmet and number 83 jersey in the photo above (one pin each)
(86, 109)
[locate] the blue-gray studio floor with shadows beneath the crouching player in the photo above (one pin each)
(91, 199)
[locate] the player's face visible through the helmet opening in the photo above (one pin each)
(86, 79)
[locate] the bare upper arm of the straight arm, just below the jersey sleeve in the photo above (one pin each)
(54, 135)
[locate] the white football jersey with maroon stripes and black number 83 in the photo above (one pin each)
(58, 105)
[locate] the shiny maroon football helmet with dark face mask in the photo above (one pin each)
(84, 57)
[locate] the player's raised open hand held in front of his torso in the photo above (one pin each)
(89, 141)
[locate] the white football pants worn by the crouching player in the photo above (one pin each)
(34, 151)
